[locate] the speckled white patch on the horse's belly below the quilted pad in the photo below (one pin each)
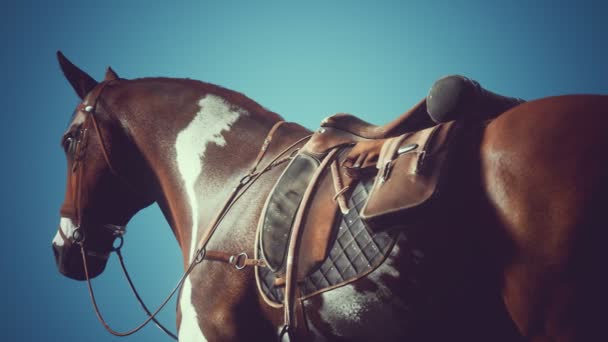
(347, 304)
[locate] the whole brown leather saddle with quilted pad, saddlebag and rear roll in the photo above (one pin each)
(399, 168)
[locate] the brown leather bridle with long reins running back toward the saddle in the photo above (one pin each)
(239, 261)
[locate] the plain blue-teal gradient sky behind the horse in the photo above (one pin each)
(302, 60)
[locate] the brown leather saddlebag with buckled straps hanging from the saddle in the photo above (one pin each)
(409, 170)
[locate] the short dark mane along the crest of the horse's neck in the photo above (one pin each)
(232, 96)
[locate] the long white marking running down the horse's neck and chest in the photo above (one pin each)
(214, 117)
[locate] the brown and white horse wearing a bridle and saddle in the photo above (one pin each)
(514, 253)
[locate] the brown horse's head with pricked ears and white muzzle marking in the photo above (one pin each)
(99, 200)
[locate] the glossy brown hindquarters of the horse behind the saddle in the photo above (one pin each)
(544, 169)
